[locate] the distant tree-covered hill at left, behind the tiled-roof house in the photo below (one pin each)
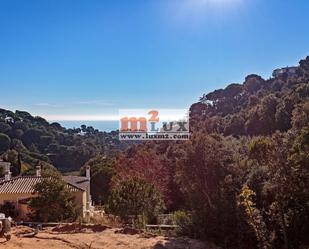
(29, 141)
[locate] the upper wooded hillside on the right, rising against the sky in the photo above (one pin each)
(256, 107)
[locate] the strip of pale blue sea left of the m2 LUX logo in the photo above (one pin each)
(100, 125)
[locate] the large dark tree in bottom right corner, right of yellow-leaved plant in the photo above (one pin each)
(279, 177)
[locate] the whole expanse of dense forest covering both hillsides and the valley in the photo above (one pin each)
(241, 181)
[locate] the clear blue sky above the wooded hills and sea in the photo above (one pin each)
(73, 59)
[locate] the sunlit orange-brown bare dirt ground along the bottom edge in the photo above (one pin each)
(94, 238)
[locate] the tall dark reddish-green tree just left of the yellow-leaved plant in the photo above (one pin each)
(209, 186)
